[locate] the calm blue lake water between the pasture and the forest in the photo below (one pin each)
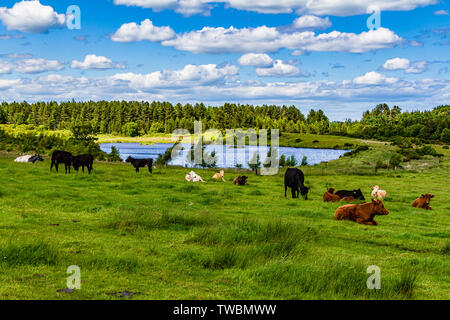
(227, 156)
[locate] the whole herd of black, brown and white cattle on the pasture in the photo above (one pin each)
(294, 179)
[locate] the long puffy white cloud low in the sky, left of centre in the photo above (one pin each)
(190, 75)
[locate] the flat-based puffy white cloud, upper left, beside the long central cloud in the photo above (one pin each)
(130, 32)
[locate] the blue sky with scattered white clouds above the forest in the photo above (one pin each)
(316, 54)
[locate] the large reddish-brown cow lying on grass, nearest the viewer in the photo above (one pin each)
(361, 213)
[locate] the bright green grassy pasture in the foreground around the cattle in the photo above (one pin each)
(163, 238)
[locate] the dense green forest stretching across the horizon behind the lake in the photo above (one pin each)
(139, 118)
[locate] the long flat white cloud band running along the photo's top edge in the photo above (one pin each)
(316, 7)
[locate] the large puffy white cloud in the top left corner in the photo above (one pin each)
(31, 16)
